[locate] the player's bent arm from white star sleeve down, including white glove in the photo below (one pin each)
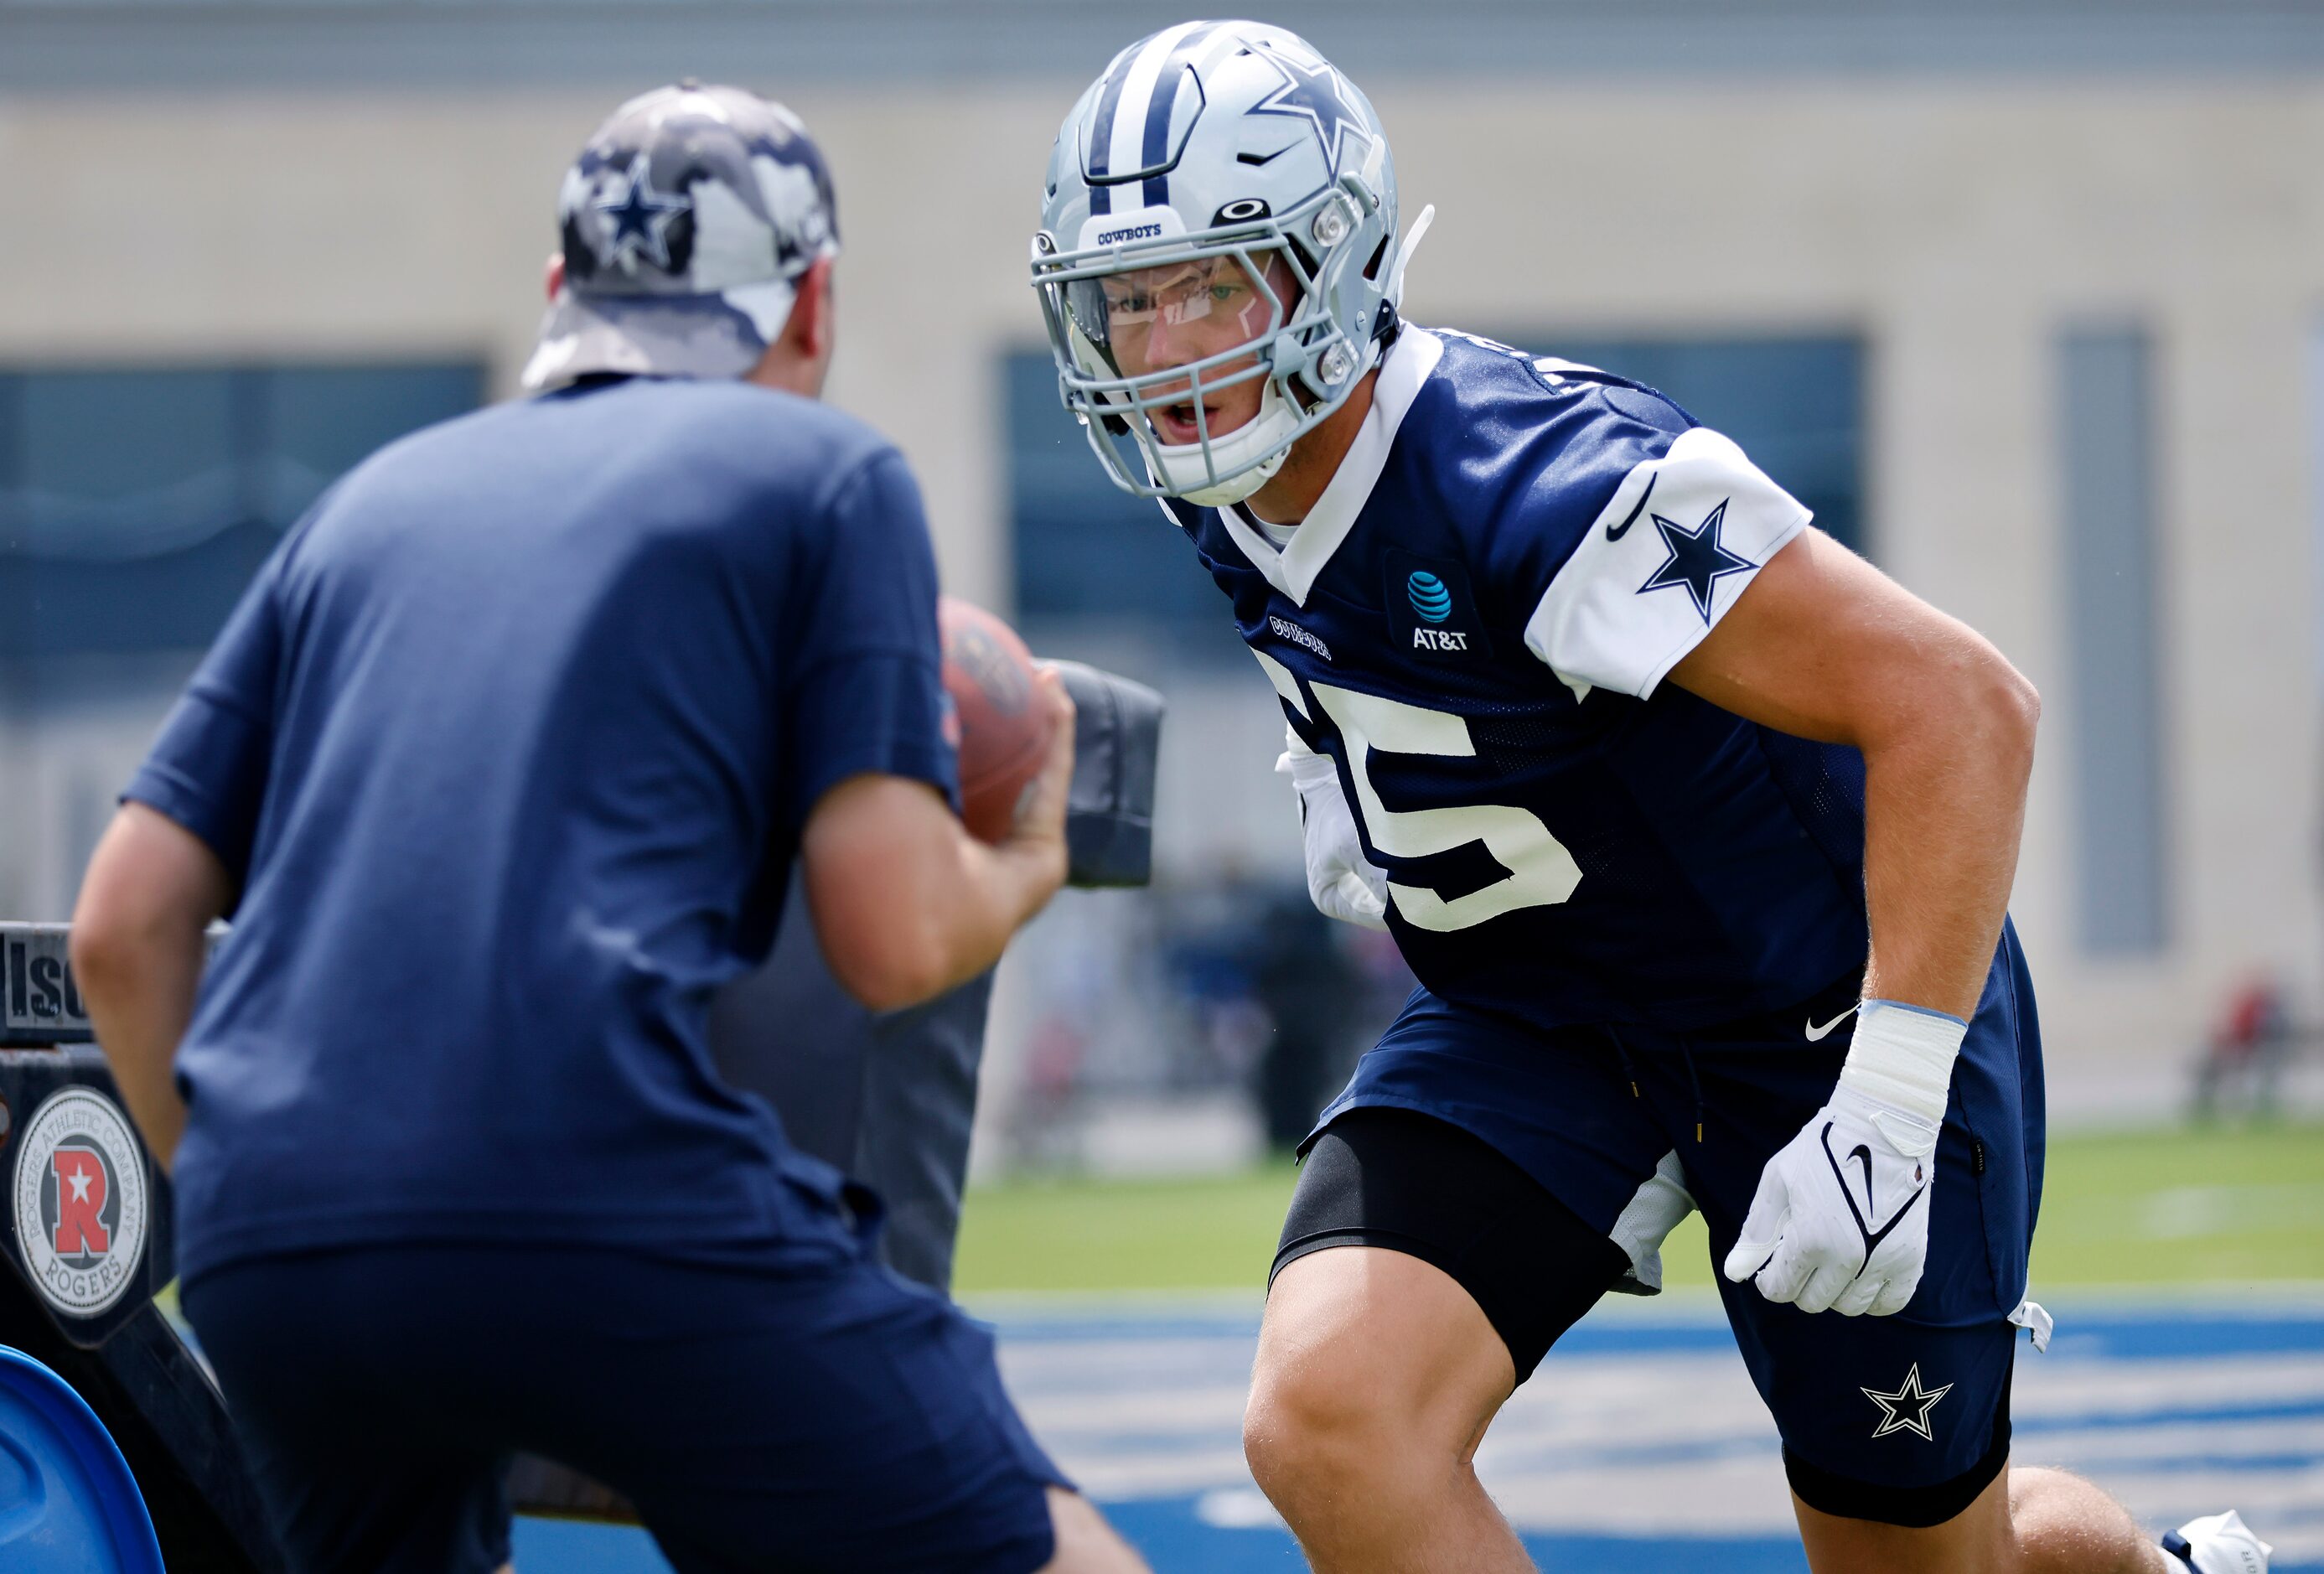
(1828, 648)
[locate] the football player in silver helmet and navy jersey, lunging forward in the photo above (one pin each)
(1695, 829)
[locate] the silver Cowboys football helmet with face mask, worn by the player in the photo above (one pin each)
(1221, 213)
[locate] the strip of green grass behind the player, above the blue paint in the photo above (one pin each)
(2153, 1208)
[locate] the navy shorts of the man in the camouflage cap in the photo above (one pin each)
(761, 1415)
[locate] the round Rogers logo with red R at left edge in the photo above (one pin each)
(80, 1201)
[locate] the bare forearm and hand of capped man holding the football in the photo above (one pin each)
(905, 901)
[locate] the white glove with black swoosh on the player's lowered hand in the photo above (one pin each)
(1842, 1217)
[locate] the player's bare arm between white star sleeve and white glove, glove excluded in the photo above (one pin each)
(1830, 648)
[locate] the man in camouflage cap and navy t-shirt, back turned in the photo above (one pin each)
(503, 766)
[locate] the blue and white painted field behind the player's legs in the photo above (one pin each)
(1142, 1403)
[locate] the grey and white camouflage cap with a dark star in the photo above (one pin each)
(687, 224)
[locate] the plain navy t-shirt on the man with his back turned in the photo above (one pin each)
(510, 747)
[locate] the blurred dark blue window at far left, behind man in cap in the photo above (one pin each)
(136, 503)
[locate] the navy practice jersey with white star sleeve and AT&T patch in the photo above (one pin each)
(1475, 624)
